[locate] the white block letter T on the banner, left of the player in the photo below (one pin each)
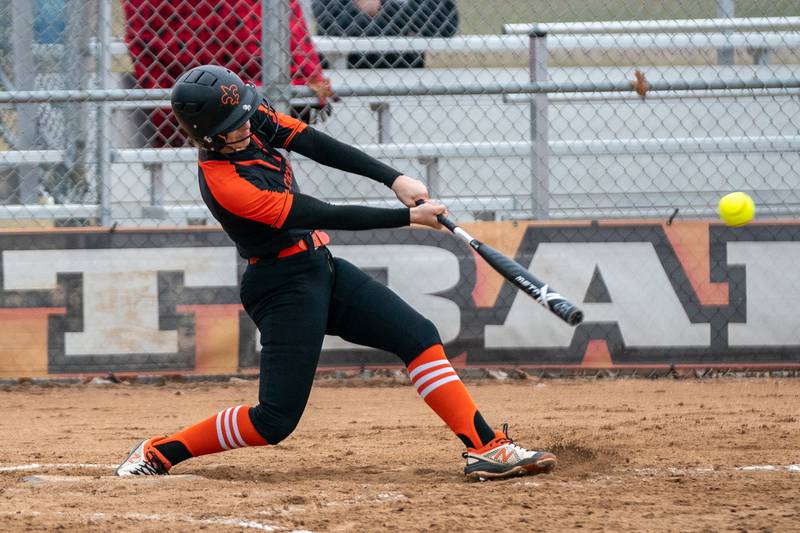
(120, 290)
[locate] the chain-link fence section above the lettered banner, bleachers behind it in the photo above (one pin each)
(448, 91)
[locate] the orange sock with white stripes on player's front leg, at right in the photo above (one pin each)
(439, 385)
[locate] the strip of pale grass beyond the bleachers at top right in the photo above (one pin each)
(488, 16)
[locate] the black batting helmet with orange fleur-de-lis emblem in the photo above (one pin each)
(209, 100)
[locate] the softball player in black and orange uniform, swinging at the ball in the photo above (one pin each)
(296, 291)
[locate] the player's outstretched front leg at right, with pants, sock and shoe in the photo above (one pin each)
(366, 312)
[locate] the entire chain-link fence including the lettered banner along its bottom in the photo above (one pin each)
(511, 111)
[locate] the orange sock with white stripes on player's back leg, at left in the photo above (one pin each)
(230, 428)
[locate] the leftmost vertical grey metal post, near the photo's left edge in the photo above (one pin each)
(27, 126)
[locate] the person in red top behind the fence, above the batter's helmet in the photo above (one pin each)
(165, 38)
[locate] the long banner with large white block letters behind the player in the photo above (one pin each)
(77, 301)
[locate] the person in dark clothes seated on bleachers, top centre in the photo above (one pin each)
(373, 18)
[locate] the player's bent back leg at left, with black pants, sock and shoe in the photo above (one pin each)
(288, 300)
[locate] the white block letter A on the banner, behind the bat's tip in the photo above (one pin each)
(643, 302)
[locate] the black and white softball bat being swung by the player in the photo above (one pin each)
(519, 276)
